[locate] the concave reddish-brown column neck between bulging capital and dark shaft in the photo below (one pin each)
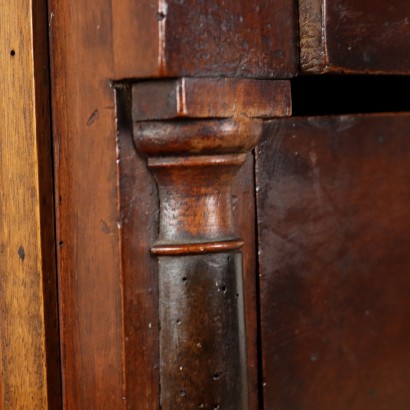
(195, 202)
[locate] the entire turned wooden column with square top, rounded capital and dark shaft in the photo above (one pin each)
(196, 134)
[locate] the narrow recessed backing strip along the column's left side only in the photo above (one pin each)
(139, 270)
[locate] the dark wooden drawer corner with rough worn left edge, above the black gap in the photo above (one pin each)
(361, 36)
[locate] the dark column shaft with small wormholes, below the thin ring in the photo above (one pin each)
(202, 338)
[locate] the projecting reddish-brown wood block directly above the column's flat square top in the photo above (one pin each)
(232, 38)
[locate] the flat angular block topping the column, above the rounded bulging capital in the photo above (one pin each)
(210, 98)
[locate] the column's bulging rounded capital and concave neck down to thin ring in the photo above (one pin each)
(195, 179)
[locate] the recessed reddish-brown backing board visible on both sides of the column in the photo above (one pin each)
(138, 230)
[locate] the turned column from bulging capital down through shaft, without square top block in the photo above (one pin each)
(200, 297)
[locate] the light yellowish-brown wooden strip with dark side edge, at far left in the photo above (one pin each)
(29, 333)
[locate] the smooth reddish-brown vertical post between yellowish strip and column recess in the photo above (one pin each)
(87, 205)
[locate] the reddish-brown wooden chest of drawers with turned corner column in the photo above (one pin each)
(230, 233)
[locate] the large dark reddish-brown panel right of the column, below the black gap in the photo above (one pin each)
(333, 199)
